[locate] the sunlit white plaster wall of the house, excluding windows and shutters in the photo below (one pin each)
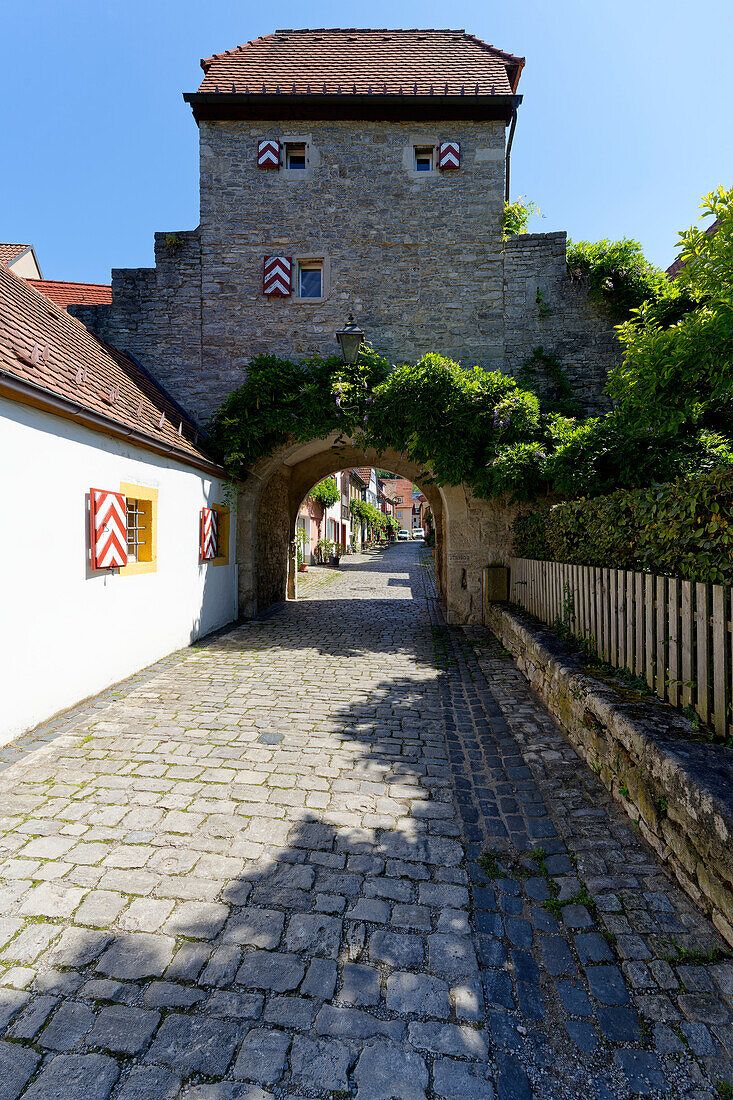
(67, 633)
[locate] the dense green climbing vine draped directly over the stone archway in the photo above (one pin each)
(457, 425)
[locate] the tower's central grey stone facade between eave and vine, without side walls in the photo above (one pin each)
(417, 257)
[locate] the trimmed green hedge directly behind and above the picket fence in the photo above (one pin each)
(684, 529)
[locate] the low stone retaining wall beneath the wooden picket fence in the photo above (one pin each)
(679, 791)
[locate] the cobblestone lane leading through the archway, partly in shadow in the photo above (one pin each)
(341, 852)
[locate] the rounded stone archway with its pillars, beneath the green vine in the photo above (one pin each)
(471, 533)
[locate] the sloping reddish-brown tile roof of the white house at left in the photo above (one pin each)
(45, 346)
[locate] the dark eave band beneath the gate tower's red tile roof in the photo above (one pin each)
(223, 107)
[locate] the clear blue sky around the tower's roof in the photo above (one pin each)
(626, 122)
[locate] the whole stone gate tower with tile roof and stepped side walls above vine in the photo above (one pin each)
(353, 172)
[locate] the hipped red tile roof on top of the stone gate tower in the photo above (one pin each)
(442, 63)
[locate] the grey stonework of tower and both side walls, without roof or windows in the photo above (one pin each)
(417, 257)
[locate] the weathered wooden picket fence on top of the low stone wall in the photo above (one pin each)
(675, 634)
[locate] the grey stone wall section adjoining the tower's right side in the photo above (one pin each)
(545, 309)
